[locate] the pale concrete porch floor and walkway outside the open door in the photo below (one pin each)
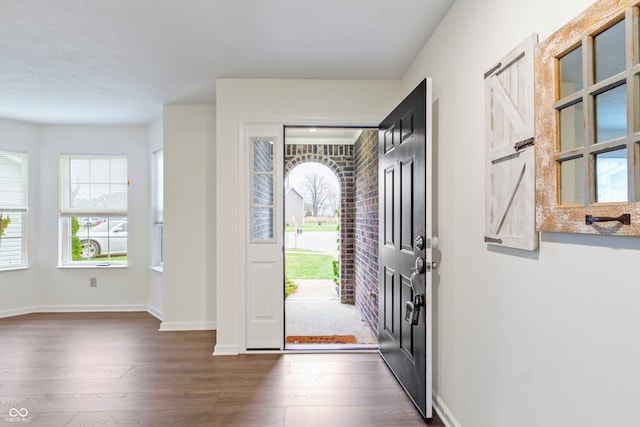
(315, 309)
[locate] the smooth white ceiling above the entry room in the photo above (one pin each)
(119, 61)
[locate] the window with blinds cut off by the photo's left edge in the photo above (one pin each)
(13, 210)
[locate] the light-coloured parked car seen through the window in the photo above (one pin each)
(106, 238)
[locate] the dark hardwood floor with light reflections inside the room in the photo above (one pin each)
(90, 369)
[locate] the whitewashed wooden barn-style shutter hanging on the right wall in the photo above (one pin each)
(509, 139)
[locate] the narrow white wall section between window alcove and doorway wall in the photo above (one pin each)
(188, 292)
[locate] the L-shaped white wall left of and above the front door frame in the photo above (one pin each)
(280, 101)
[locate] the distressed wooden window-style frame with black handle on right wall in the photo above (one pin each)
(587, 211)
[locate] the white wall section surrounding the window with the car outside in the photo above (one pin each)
(61, 289)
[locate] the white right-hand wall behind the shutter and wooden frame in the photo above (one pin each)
(522, 339)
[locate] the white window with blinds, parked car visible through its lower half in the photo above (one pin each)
(93, 209)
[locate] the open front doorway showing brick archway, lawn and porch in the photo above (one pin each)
(331, 241)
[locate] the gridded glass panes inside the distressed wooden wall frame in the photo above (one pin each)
(611, 90)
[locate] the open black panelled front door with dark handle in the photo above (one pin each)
(405, 299)
